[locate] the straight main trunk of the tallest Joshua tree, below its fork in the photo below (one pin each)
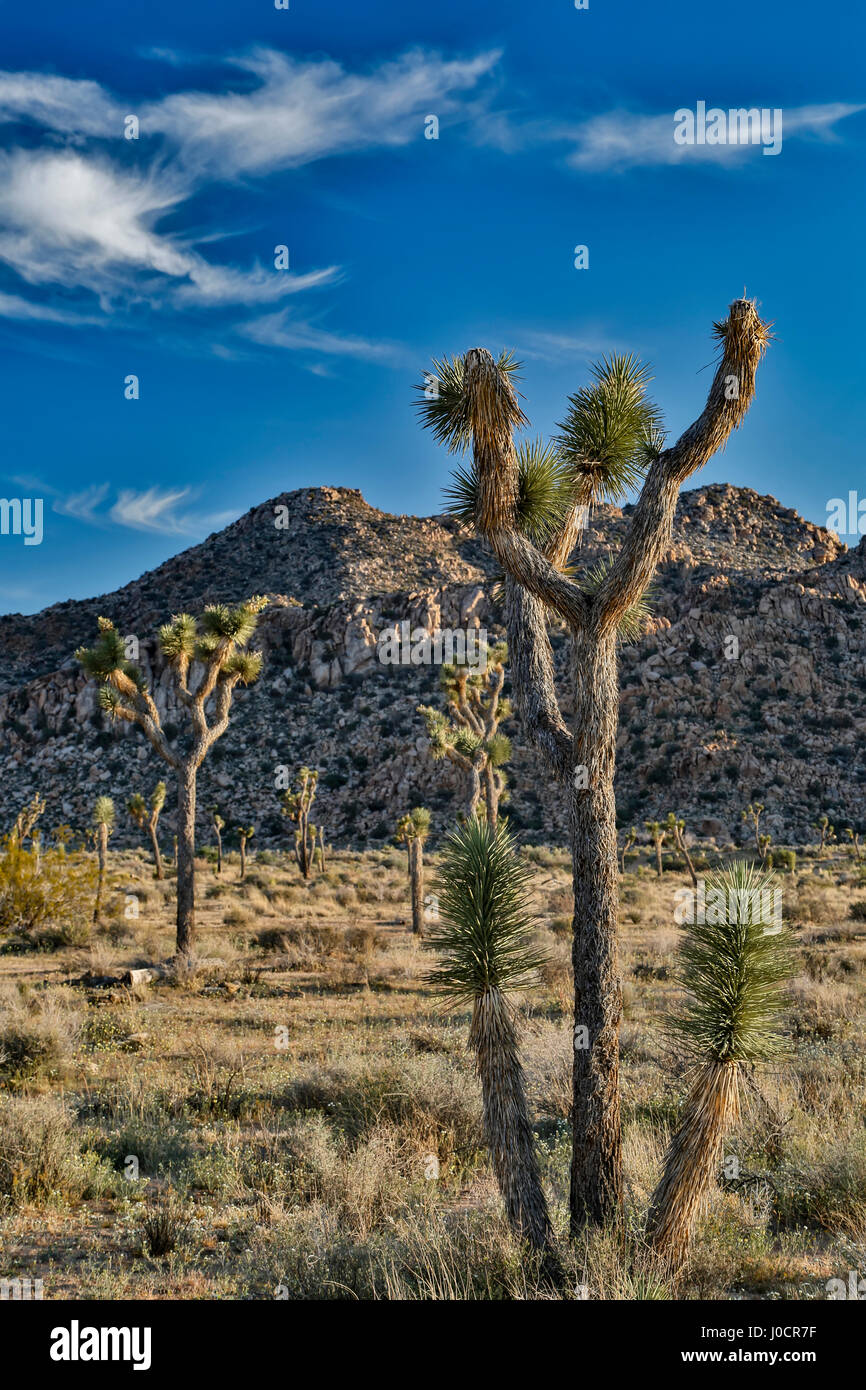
(597, 1182)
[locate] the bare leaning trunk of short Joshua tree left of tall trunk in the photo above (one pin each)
(507, 1122)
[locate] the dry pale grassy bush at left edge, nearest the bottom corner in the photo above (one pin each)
(44, 1160)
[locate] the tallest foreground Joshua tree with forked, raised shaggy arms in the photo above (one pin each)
(532, 507)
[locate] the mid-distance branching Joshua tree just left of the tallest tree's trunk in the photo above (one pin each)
(469, 735)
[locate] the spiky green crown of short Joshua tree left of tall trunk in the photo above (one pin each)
(484, 929)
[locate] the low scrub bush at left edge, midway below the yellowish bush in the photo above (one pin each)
(38, 1033)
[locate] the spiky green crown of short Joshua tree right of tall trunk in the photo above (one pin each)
(735, 971)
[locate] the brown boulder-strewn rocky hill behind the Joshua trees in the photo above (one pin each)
(751, 685)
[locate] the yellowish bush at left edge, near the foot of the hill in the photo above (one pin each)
(45, 899)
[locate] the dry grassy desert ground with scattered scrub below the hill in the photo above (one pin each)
(301, 1118)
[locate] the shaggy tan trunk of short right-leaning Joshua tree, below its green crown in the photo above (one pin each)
(712, 1107)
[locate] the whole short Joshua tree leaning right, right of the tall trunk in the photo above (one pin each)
(735, 972)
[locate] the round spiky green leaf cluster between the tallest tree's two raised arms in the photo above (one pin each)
(612, 429)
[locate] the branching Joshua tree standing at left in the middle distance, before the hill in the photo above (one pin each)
(218, 643)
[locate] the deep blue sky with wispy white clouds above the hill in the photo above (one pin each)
(305, 129)
